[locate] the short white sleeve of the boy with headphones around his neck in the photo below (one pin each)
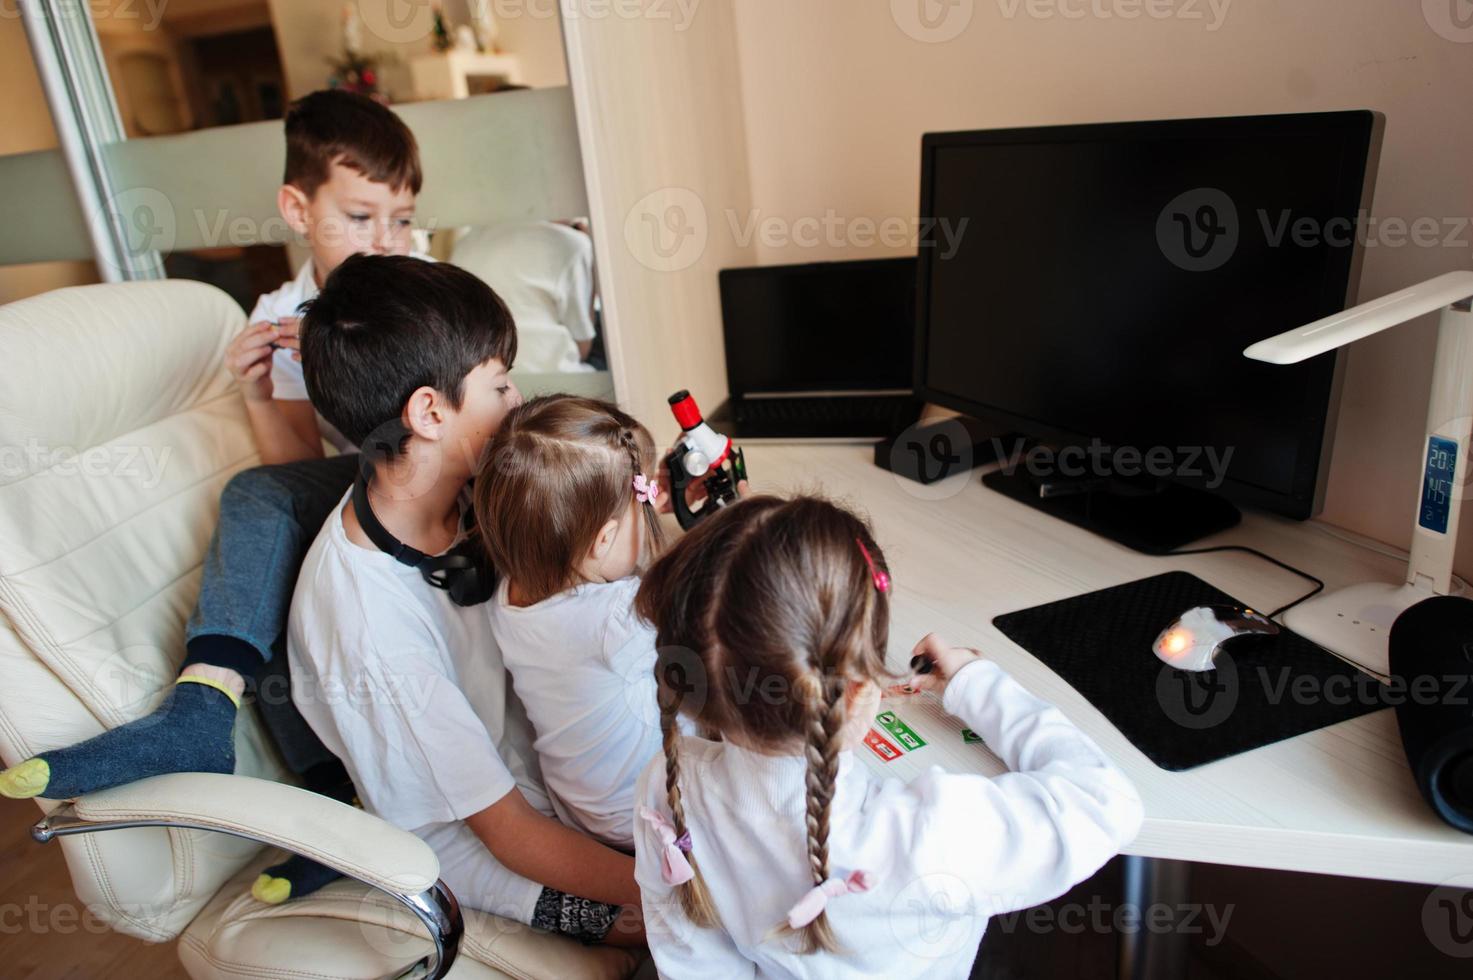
(416, 748)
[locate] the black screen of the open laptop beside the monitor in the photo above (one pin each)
(820, 328)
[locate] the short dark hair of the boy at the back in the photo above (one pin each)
(342, 127)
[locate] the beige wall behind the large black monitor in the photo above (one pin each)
(837, 95)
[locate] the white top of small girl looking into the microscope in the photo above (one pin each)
(584, 667)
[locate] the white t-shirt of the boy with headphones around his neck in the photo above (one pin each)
(410, 692)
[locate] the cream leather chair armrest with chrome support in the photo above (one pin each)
(335, 835)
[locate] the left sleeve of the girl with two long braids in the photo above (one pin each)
(678, 947)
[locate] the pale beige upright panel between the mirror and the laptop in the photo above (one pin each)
(661, 123)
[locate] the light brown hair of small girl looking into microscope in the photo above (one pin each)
(558, 471)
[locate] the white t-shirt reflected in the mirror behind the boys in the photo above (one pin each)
(544, 272)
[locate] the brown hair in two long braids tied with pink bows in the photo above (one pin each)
(770, 595)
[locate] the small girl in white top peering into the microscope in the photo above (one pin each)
(565, 505)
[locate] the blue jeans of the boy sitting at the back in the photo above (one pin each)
(269, 518)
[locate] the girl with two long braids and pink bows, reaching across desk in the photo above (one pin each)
(771, 853)
